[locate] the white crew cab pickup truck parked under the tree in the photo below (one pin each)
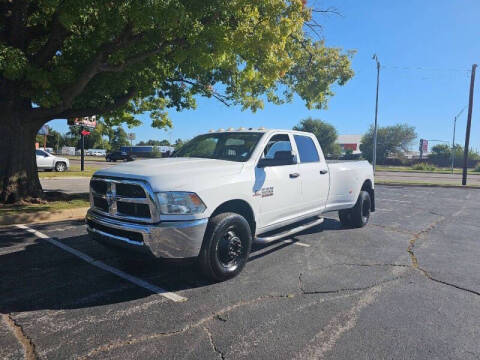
(223, 190)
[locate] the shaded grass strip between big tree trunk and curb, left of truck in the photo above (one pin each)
(54, 202)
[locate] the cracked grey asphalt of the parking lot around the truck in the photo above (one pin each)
(406, 286)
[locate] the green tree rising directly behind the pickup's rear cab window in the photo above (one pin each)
(326, 135)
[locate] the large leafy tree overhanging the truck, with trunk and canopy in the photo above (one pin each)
(116, 59)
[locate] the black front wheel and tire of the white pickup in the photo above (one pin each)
(226, 246)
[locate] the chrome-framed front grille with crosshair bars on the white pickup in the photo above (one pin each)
(123, 199)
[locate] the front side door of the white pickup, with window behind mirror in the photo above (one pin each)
(277, 187)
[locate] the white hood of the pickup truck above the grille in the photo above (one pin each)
(179, 174)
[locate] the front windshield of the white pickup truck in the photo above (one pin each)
(232, 146)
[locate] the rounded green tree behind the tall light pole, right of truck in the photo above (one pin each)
(391, 140)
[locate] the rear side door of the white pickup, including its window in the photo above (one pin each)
(313, 170)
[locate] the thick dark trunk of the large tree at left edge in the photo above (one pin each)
(18, 166)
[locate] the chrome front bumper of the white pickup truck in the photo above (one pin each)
(173, 239)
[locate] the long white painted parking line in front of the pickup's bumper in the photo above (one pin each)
(133, 279)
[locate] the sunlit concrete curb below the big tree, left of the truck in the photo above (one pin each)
(44, 216)
